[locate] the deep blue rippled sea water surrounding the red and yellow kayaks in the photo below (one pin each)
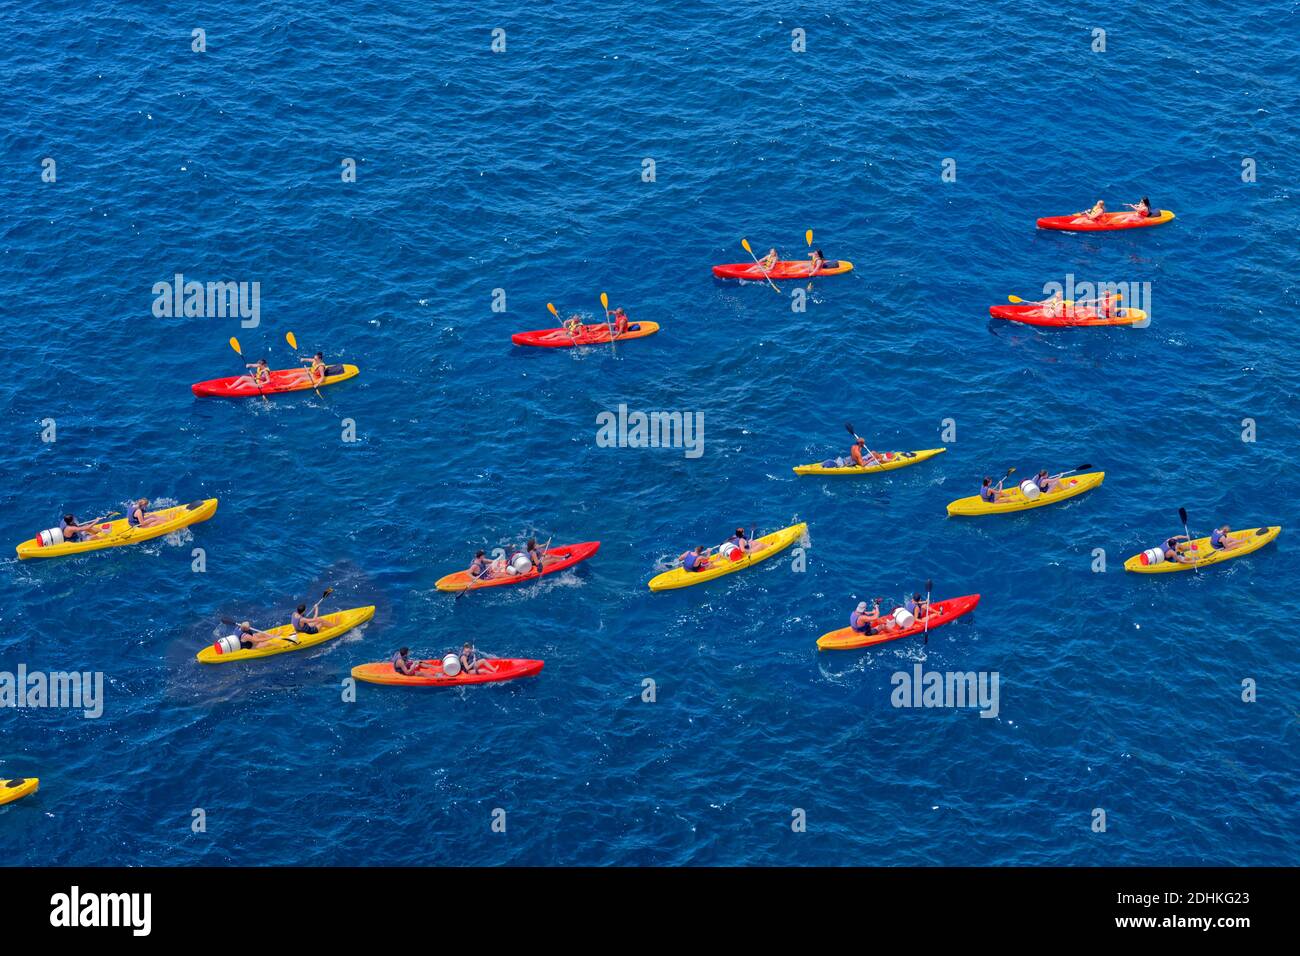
(523, 172)
